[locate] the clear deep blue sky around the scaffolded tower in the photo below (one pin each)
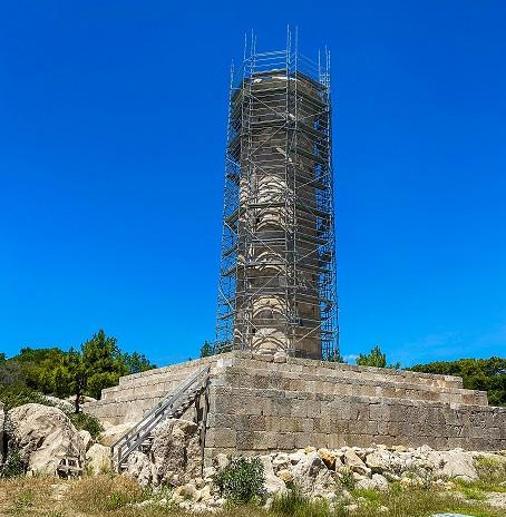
(112, 132)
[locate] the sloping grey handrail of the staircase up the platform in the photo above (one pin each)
(138, 433)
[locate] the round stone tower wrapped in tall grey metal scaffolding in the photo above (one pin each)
(277, 287)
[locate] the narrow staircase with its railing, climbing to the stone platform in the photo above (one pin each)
(174, 405)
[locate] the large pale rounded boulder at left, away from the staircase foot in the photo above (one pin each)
(44, 436)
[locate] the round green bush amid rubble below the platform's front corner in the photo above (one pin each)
(242, 480)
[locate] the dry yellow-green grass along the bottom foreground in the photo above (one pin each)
(112, 496)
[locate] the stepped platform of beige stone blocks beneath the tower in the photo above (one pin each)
(257, 405)
